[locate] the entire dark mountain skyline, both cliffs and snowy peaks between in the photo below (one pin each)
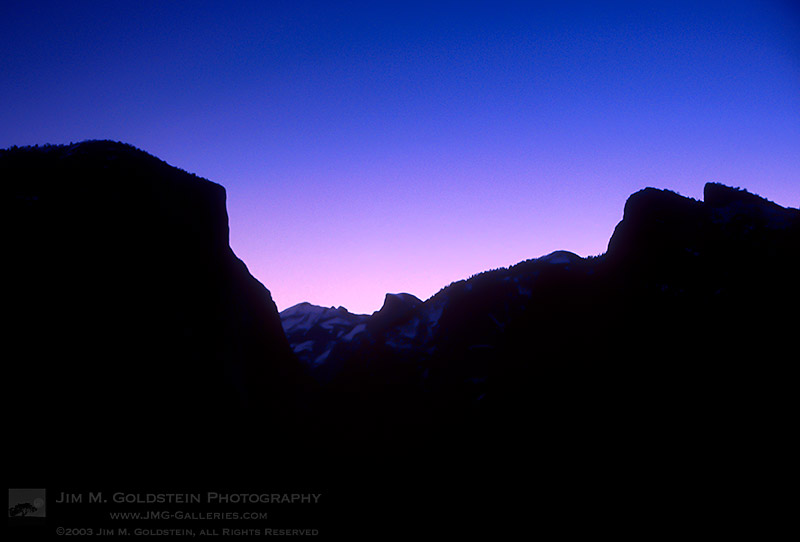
(662, 368)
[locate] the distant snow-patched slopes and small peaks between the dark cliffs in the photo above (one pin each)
(416, 331)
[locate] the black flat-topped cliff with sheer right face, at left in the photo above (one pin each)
(133, 323)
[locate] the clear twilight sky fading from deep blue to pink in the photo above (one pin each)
(376, 147)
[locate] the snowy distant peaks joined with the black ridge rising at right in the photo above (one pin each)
(689, 295)
